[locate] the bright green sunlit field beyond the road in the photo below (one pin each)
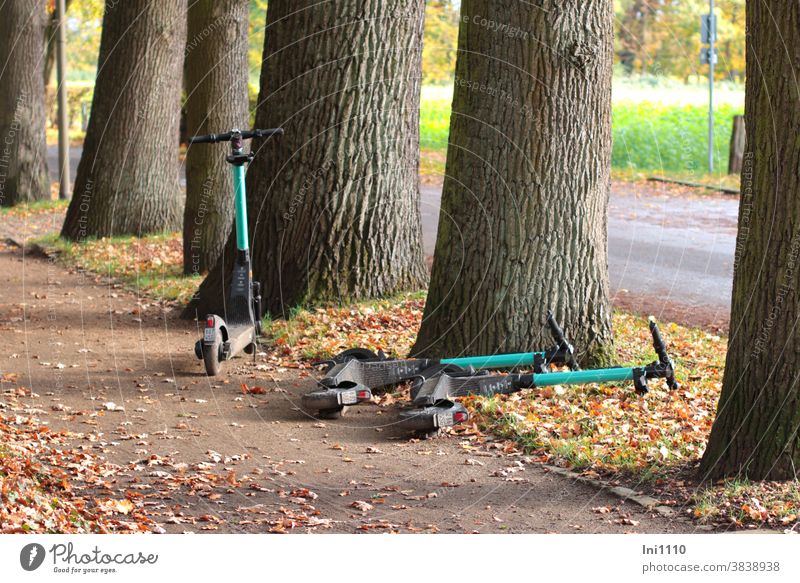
(656, 128)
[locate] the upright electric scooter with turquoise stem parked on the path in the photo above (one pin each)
(225, 338)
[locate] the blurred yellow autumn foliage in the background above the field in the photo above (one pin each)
(653, 38)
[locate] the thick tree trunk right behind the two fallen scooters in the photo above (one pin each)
(523, 226)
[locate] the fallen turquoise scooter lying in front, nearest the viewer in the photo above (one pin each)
(436, 409)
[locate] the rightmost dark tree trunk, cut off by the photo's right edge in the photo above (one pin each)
(755, 434)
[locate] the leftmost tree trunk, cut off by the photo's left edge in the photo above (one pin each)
(23, 147)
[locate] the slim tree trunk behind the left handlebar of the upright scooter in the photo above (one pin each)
(216, 72)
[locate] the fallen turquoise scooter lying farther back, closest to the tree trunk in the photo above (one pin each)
(352, 374)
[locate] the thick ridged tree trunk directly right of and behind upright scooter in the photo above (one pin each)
(334, 203)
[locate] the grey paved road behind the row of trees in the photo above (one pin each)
(669, 255)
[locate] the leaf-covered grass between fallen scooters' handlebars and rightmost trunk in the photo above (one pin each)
(607, 427)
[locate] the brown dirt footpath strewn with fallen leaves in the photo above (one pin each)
(119, 371)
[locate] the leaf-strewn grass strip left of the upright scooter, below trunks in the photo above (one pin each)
(151, 265)
